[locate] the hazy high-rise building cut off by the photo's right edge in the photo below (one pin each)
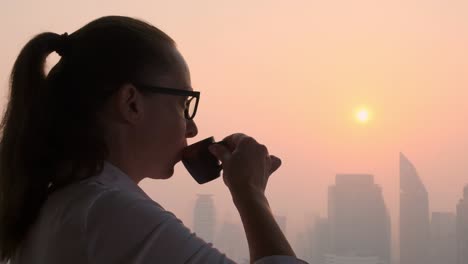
(462, 228)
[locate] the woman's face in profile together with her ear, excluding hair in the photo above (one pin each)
(147, 132)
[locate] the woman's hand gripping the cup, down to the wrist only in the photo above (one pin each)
(247, 165)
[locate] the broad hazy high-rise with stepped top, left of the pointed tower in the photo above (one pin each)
(358, 218)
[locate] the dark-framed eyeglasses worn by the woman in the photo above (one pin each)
(191, 103)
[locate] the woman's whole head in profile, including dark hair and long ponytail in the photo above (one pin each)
(91, 107)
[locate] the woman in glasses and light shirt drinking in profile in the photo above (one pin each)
(76, 143)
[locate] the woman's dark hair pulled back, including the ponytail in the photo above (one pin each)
(50, 133)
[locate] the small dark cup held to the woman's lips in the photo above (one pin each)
(200, 163)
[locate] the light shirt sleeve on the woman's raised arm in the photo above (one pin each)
(124, 228)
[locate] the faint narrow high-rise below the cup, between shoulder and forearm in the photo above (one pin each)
(204, 219)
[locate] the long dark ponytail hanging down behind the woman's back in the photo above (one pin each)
(23, 188)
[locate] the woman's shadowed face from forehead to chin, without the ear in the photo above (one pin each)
(164, 130)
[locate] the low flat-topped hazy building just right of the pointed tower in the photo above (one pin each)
(443, 241)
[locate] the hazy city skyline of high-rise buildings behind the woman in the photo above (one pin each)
(423, 230)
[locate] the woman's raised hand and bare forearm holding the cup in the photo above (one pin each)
(247, 165)
